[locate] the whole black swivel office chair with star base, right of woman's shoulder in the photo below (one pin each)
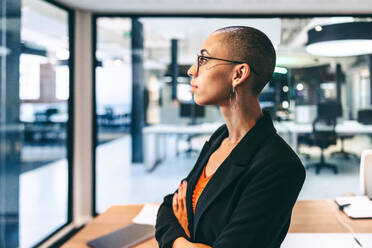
(323, 136)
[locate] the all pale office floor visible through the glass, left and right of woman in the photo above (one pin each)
(120, 182)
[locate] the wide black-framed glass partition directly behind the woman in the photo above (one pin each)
(300, 83)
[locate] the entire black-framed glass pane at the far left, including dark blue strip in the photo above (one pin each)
(35, 83)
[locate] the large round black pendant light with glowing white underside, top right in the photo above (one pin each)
(341, 39)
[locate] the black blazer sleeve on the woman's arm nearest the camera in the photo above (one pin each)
(262, 216)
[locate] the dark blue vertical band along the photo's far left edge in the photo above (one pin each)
(11, 131)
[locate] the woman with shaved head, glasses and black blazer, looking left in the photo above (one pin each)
(246, 180)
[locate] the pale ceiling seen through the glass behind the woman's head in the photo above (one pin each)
(288, 35)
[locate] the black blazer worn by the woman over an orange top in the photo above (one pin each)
(248, 201)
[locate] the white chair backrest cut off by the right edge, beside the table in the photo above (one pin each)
(366, 173)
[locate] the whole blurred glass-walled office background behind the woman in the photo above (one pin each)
(96, 108)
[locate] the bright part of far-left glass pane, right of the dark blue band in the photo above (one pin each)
(43, 111)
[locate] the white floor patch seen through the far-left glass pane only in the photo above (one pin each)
(42, 202)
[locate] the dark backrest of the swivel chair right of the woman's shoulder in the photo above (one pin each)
(324, 132)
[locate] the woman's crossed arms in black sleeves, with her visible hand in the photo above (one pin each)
(259, 219)
